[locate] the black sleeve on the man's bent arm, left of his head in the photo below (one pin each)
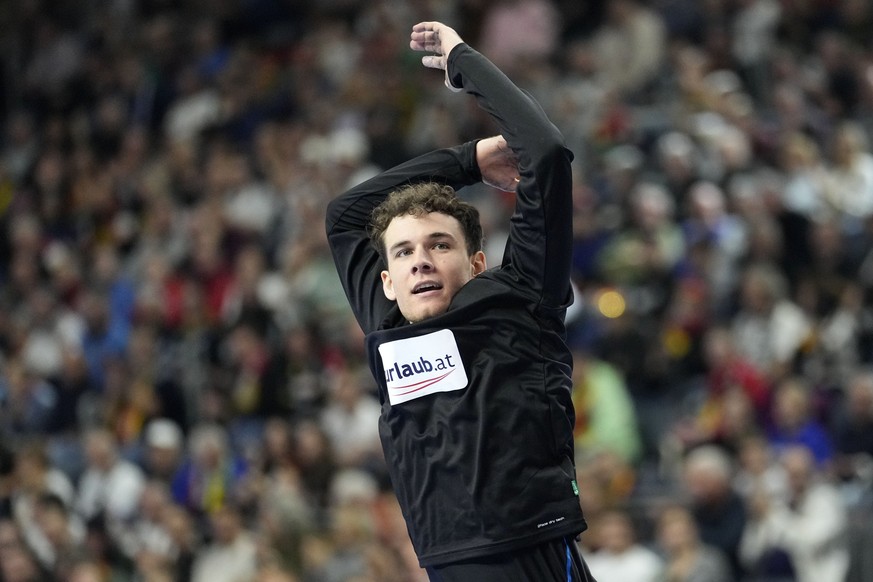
(358, 263)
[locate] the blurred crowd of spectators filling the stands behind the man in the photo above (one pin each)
(183, 394)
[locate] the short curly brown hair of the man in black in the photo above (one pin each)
(421, 199)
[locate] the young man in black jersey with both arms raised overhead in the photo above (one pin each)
(472, 367)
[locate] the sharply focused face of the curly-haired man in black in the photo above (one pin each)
(427, 264)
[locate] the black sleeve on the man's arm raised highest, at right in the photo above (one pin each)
(539, 248)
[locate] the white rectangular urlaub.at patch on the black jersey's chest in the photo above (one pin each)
(423, 365)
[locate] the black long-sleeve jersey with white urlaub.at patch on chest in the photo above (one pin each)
(477, 418)
